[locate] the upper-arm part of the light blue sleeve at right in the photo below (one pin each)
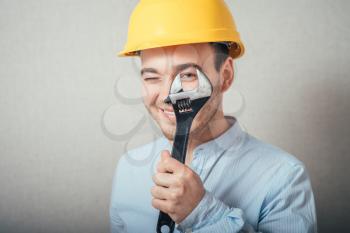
(290, 205)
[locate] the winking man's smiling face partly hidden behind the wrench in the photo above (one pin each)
(159, 68)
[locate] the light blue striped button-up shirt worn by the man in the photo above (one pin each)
(251, 186)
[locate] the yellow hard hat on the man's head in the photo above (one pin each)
(159, 23)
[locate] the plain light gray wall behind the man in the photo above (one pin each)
(68, 104)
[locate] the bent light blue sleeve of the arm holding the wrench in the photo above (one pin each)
(288, 207)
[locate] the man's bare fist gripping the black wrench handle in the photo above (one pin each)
(178, 188)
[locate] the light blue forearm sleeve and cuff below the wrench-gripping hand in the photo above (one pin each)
(210, 211)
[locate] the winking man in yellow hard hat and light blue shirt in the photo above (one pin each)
(231, 181)
